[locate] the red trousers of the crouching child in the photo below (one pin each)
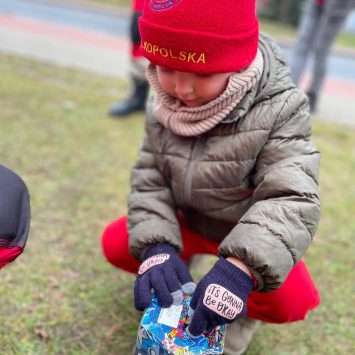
(290, 303)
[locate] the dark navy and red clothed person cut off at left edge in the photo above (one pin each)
(14, 216)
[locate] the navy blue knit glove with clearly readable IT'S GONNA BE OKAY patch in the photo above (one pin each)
(220, 297)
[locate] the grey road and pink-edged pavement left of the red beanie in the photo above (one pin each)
(67, 33)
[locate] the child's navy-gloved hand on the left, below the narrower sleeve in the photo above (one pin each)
(165, 272)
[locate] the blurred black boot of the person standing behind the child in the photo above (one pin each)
(134, 103)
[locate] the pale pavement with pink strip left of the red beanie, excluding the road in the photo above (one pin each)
(69, 46)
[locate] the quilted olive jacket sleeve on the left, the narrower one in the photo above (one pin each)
(151, 208)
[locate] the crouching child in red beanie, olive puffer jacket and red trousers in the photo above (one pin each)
(227, 167)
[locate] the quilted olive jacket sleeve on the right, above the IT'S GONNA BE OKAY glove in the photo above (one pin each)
(281, 223)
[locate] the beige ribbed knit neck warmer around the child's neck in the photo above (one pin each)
(192, 121)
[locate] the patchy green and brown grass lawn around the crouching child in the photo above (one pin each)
(61, 296)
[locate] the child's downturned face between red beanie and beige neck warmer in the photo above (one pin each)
(192, 89)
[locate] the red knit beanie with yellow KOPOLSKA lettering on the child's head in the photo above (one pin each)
(200, 36)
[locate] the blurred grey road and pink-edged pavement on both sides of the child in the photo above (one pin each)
(94, 38)
